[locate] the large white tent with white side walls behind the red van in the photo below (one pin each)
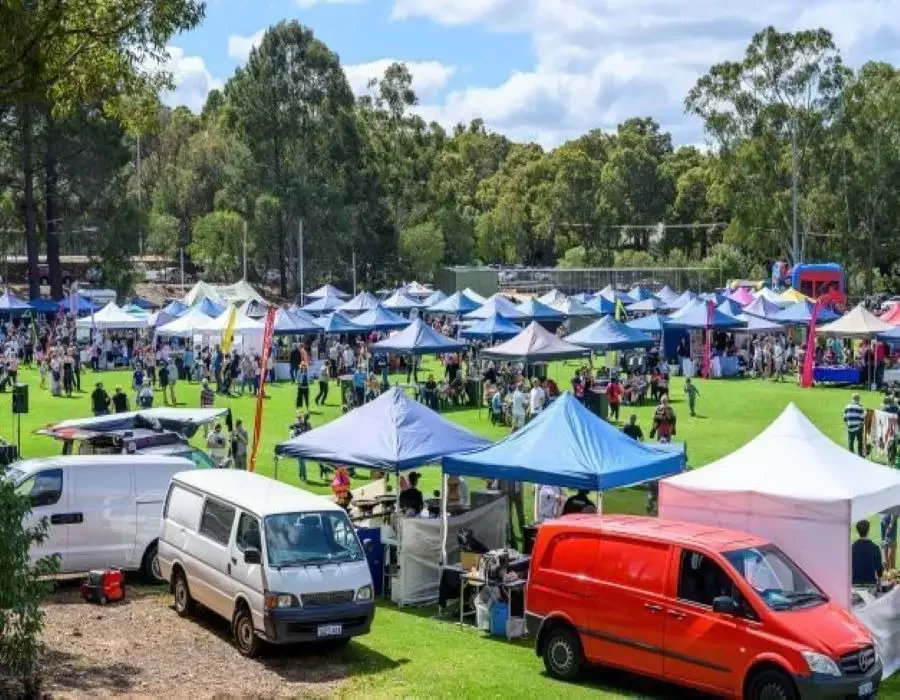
(793, 486)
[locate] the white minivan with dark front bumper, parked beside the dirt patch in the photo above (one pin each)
(283, 565)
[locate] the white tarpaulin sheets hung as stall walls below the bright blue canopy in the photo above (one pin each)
(419, 550)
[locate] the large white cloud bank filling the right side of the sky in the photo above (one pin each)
(597, 62)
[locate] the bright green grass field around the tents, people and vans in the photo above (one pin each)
(410, 654)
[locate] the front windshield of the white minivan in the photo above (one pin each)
(304, 539)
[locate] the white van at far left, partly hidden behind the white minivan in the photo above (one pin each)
(103, 511)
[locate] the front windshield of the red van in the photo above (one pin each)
(779, 582)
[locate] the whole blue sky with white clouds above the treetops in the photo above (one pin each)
(536, 70)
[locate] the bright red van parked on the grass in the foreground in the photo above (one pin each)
(720, 611)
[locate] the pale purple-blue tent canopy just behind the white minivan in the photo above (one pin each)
(392, 433)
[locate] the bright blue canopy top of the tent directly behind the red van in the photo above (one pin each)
(567, 445)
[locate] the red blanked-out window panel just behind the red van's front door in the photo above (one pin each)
(633, 563)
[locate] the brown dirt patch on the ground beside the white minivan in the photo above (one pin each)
(141, 648)
